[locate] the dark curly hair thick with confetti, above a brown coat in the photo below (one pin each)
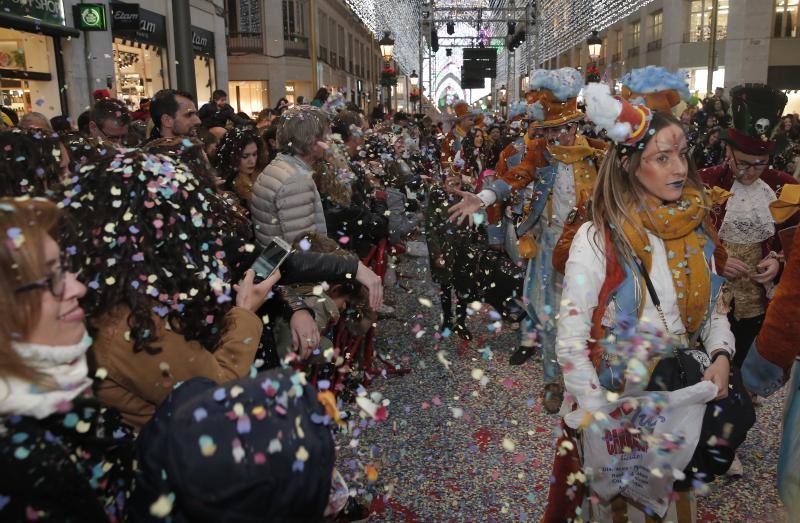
(151, 242)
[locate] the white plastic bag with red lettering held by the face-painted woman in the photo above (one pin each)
(639, 445)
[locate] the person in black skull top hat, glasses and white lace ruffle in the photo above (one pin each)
(745, 224)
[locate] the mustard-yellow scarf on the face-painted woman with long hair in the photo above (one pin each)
(677, 223)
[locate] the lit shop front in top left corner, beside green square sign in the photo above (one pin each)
(31, 64)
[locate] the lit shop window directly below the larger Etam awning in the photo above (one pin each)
(140, 71)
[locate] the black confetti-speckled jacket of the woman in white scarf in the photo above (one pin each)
(75, 466)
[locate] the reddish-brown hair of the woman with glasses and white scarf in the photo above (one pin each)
(24, 225)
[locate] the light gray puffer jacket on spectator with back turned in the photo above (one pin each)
(286, 202)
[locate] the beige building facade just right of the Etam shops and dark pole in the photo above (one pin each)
(270, 54)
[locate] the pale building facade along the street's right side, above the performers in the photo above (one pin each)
(756, 41)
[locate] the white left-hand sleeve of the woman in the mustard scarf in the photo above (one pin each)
(583, 279)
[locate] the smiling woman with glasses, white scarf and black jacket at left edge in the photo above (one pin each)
(64, 457)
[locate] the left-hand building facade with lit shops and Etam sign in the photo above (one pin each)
(48, 66)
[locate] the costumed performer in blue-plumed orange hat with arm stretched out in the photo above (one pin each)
(551, 192)
